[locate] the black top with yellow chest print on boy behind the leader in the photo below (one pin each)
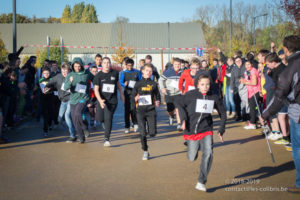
(146, 87)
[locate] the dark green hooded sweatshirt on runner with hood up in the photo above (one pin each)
(79, 87)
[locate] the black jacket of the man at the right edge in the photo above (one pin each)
(288, 87)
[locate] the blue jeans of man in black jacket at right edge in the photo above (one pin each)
(295, 139)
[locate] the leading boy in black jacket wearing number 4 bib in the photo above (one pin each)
(195, 108)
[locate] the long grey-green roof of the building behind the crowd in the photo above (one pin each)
(140, 35)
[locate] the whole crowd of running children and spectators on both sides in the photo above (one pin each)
(238, 88)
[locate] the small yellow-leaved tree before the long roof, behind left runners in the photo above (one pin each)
(54, 53)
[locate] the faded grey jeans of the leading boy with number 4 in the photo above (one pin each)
(206, 146)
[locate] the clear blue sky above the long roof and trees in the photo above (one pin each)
(138, 11)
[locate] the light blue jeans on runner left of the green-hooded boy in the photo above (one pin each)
(65, 109)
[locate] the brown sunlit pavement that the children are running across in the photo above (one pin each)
(33, 167)
